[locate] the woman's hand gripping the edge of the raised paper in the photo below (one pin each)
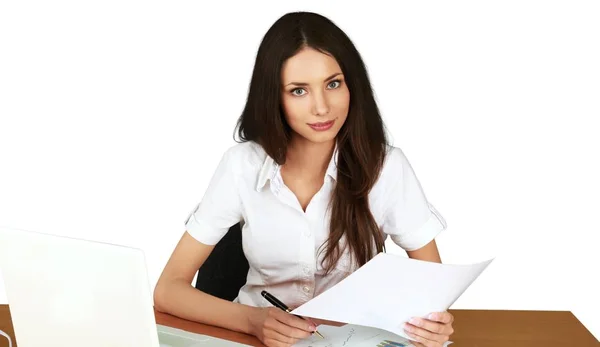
(431, 332)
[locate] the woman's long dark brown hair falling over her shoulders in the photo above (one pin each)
(361, 141)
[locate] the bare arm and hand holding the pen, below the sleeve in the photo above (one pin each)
(175, 295)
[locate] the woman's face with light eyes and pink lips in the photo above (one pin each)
(315, 97)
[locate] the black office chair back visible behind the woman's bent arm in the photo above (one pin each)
(224, 271)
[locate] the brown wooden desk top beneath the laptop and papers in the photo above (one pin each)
(473, 328)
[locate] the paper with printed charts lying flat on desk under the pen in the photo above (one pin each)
(354, 336)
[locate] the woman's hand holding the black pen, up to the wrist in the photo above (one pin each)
(277, 328)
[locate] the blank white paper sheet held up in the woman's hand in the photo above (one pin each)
(390, 289)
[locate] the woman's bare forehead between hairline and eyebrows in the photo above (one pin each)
(310, 66)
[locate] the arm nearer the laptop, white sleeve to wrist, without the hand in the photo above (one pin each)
(174, 294)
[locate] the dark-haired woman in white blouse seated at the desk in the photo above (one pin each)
(315, 185)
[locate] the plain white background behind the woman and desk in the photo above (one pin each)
(114, 115)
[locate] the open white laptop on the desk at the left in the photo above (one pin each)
(72, 292)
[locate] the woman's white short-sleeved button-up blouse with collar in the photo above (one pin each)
(281, 241)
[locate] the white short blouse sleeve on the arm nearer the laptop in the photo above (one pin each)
(220, 207)
